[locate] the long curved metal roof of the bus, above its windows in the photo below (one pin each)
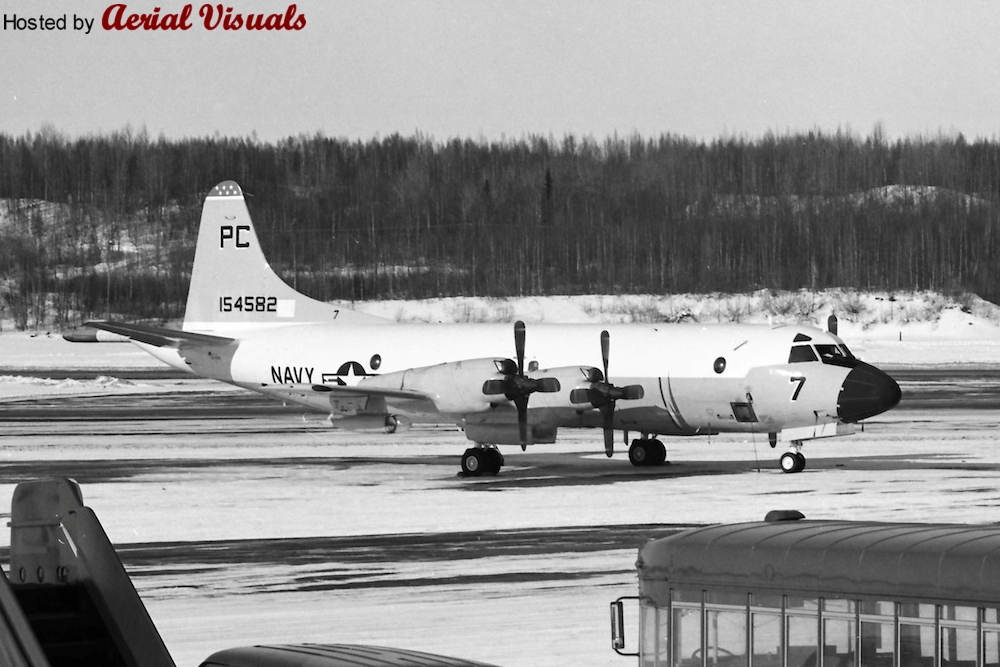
(945, 563)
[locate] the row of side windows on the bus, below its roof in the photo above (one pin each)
(713, 629)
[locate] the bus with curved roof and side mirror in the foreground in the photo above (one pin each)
(789, 592)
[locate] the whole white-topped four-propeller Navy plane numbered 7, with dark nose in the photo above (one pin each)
(504, 384)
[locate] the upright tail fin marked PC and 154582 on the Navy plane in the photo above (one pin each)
(233, 286)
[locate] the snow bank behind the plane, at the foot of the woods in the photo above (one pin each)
(888, 329)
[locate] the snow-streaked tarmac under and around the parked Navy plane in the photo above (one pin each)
(245, 521)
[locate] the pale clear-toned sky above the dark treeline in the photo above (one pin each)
(469, 68)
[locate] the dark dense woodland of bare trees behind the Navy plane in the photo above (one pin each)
(106, 224)
